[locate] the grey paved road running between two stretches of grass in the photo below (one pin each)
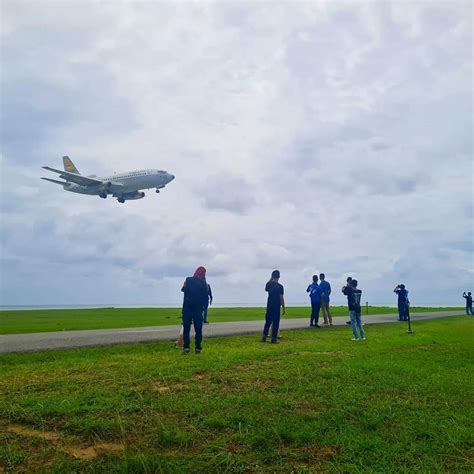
(103, 337)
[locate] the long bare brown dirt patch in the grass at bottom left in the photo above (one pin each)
(79, 452)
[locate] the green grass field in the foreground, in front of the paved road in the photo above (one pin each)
(316, 402)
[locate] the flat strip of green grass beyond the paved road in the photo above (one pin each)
(18, 322)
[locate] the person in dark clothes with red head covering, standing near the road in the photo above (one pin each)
(195, 298)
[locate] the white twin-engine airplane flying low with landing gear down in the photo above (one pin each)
(123, 186)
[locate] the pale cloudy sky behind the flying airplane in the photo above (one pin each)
(310, 137)
